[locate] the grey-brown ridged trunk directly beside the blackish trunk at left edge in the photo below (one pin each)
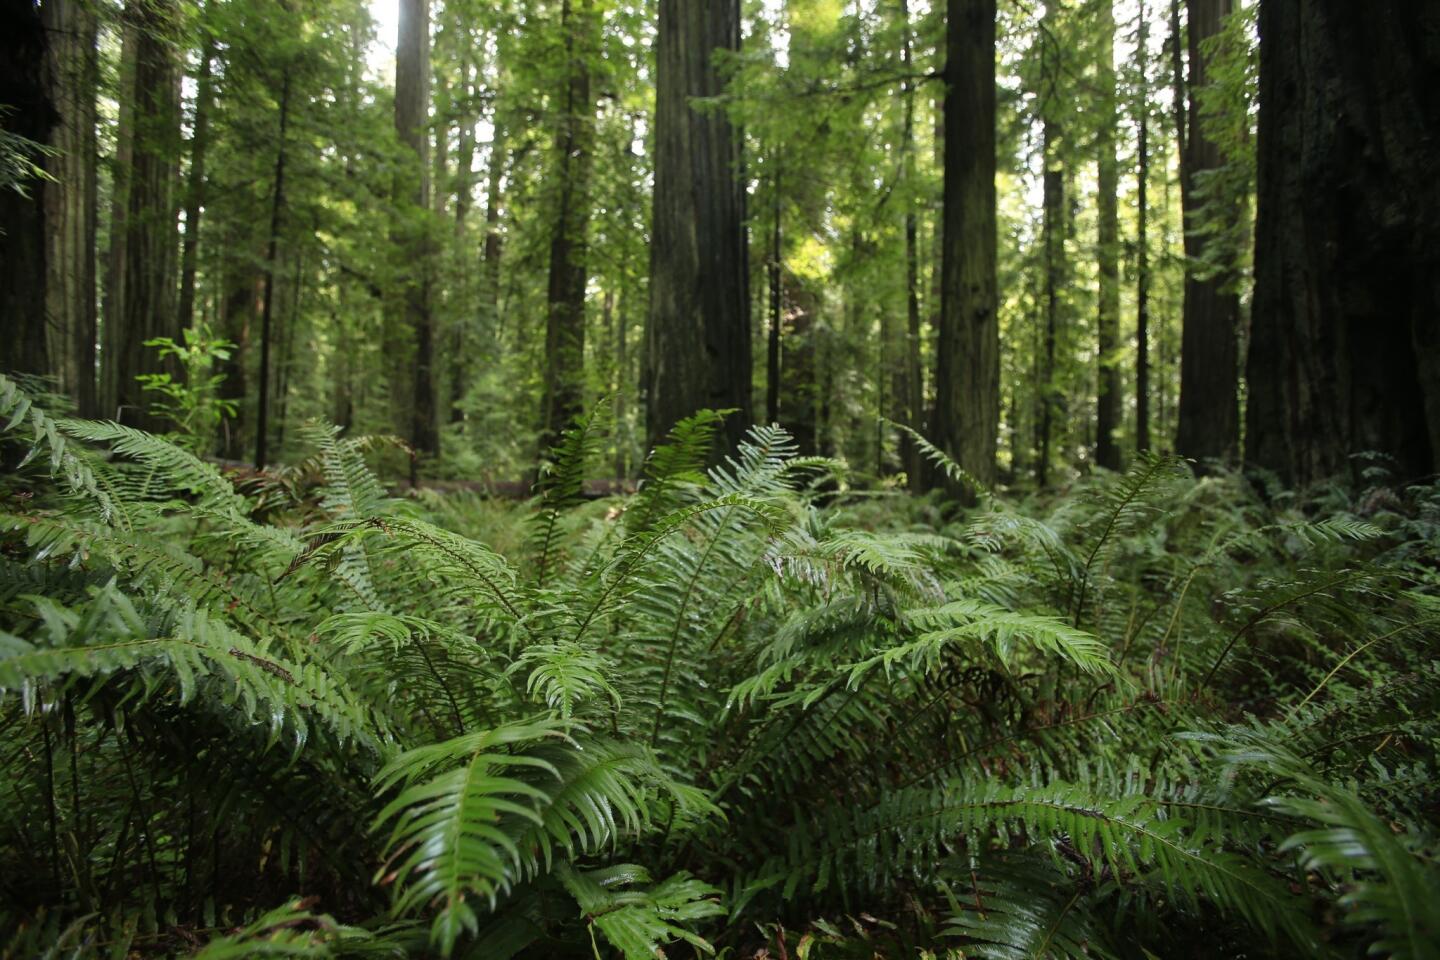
(73, 73)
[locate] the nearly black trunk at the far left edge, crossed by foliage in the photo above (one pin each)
(24, 231)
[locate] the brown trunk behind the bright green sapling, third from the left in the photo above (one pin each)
(146, 270)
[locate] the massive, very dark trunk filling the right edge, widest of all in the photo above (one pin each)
(1344, 352)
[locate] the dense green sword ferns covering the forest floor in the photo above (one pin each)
(1094, 726)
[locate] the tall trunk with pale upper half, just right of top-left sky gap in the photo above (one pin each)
(414, 191)
